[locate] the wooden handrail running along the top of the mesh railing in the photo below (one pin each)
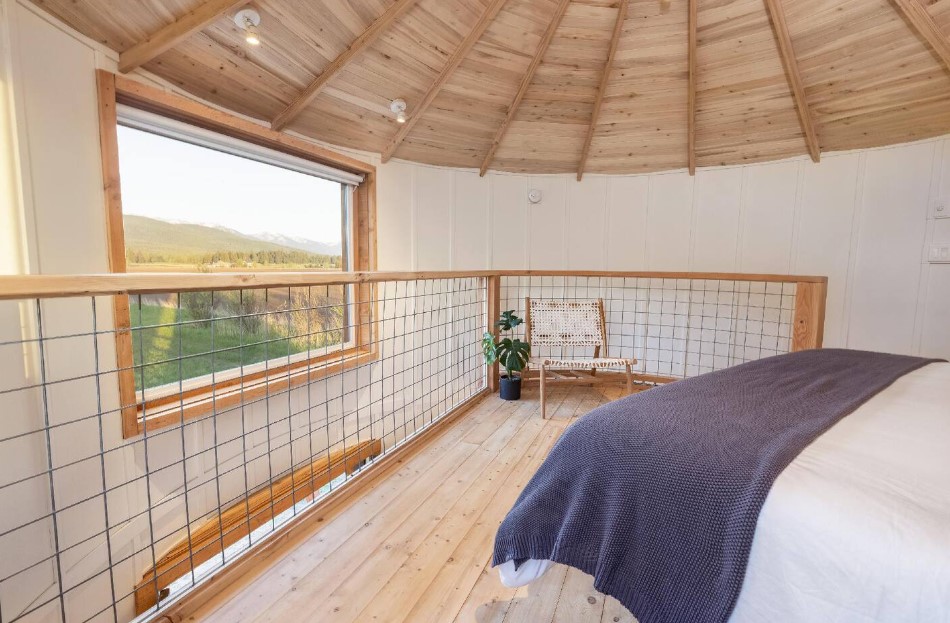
(14, 287)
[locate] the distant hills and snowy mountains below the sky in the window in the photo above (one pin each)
(156, 237)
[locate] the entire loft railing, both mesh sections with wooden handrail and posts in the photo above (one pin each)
(155, 428)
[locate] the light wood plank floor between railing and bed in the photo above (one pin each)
(417, 546)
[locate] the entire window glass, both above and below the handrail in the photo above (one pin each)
(190, 208)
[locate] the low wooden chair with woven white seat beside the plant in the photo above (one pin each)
(561, 324)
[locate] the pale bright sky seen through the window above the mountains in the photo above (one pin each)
(175, 181)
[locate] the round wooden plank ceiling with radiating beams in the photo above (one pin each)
(547, 86)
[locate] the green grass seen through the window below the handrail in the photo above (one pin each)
(167, 351)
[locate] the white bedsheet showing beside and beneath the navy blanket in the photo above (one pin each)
(857, 528)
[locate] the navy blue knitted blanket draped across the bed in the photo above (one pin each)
(658, 495)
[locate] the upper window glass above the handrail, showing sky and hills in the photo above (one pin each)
(190, 208)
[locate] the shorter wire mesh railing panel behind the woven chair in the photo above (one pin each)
(674, 327)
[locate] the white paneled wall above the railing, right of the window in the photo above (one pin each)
(863, 219)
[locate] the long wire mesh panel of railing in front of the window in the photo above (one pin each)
(98, 527)
